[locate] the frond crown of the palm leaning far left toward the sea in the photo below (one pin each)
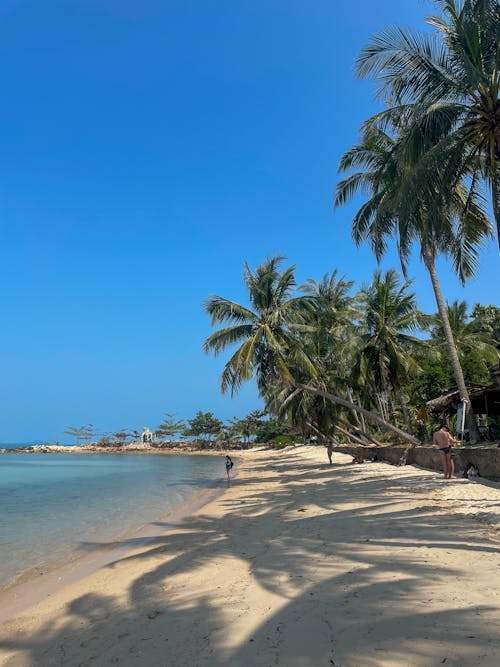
(263, 330)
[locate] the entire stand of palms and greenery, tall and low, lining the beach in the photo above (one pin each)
(425, 167)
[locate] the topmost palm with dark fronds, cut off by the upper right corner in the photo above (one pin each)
(453, 78)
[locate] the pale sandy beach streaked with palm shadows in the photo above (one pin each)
(297, 564)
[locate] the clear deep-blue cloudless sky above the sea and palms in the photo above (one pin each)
(148, 149)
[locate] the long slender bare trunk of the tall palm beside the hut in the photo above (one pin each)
(428, 257)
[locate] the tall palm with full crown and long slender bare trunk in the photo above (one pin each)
(447, 220)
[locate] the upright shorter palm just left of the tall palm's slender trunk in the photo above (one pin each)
(386, 354)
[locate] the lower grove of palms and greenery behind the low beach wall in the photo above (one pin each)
(372, 348)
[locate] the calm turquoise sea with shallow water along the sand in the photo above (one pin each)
(51, 504)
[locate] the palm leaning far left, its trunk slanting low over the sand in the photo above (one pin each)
(269, 339)
